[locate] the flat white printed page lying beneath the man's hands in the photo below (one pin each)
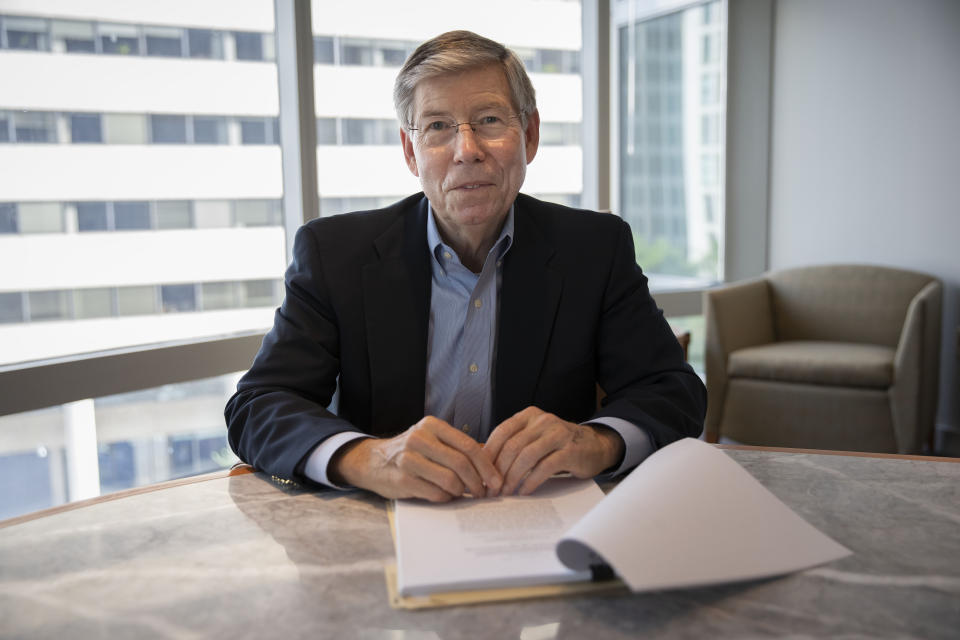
(491, 542)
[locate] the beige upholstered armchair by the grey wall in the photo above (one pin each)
(825, 357)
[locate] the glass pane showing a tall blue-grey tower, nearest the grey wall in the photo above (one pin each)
(671, 141)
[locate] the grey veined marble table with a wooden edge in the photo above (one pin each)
(244, 557)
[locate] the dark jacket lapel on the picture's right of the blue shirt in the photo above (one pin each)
(529, 297)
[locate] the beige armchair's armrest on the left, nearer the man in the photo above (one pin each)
(736, 316)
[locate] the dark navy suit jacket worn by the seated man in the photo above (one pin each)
(574, 311)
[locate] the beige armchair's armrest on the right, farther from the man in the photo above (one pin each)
(916, 371)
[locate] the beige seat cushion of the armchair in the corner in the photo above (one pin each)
(829, 363)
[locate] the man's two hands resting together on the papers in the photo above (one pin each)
(434, 461)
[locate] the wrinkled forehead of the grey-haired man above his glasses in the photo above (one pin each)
(470, 90)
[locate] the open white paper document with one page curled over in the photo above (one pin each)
(689, 515)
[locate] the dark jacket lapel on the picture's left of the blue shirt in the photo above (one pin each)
(396, 298)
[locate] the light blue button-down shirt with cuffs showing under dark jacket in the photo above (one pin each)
(461, 353)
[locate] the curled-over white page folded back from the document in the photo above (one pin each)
(690, 515)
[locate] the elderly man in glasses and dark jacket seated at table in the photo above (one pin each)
(466, 326)
